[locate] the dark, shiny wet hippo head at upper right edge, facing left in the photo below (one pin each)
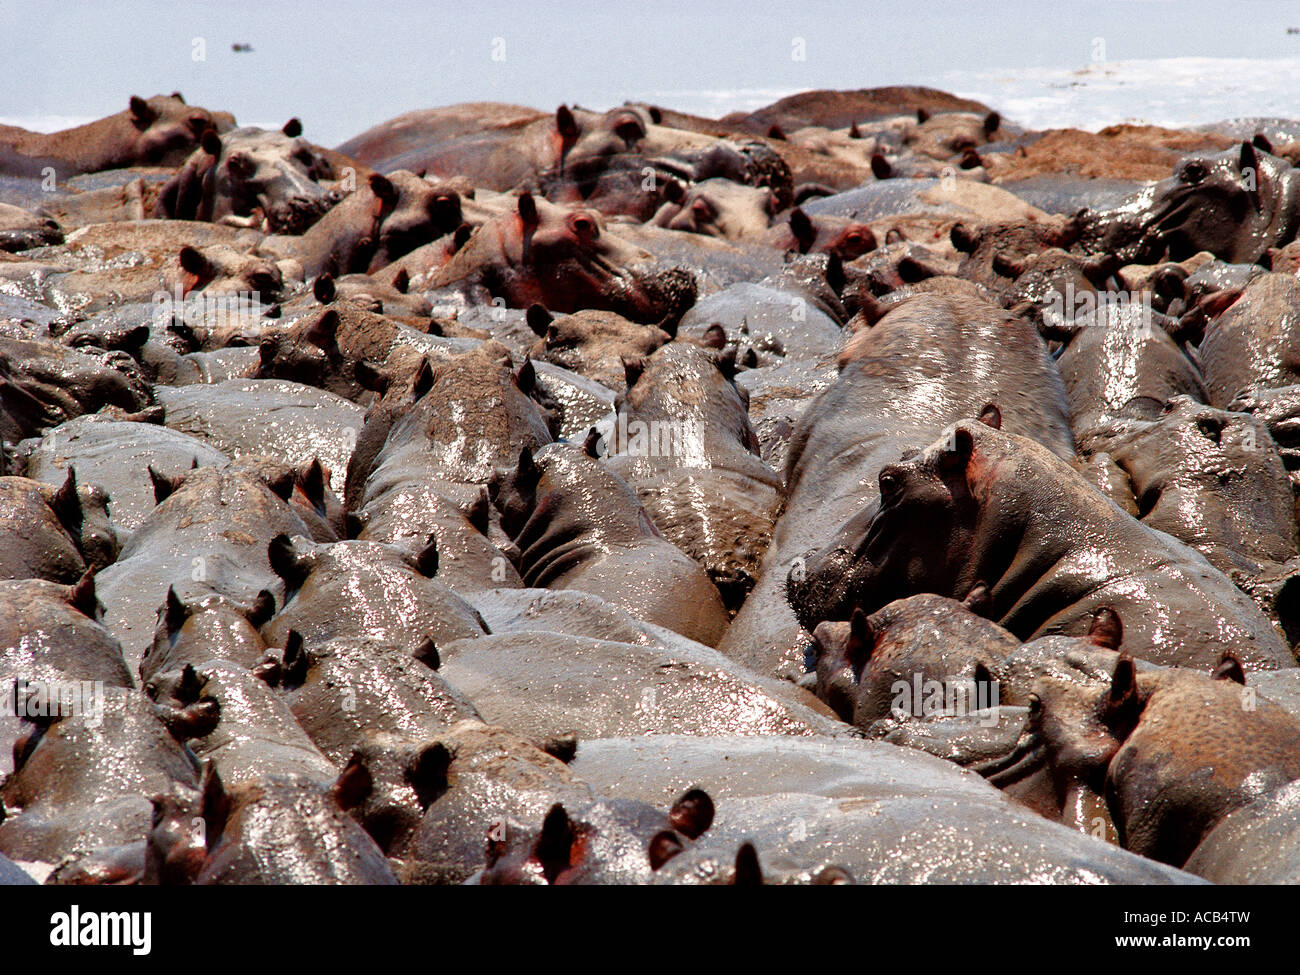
(1236, 205)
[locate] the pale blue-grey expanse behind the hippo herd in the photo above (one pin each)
(344, 67)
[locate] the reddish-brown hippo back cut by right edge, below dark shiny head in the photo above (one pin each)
(1256, 341)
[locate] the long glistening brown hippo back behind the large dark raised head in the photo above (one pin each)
(892, 396)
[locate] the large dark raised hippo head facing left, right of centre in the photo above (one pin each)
(917, 539)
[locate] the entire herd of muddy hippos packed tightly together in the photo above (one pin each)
(859, 491)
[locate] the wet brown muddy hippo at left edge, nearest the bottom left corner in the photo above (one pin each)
(63, 800)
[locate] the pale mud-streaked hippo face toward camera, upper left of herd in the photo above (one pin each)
(276, 174)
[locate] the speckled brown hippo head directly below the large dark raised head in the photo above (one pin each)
(860, 662)
